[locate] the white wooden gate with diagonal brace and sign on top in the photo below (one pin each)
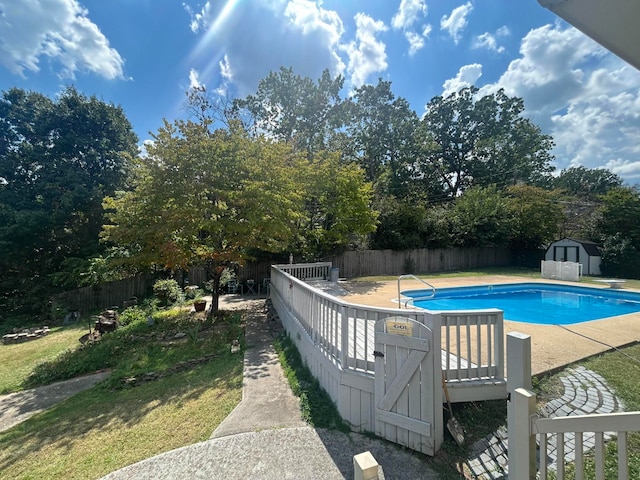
(406, 383)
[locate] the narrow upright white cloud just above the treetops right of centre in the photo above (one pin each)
(367, 54)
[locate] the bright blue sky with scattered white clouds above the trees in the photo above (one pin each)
(145, 54)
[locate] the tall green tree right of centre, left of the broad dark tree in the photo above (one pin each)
(384, 137)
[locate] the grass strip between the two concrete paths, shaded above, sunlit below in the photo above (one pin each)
(100, 430)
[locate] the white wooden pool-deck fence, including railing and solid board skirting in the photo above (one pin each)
(337, 340)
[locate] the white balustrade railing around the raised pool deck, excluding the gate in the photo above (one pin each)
(346, 332)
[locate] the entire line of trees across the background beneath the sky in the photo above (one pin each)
(299, 167)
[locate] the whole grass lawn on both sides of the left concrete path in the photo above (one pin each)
(113, 425)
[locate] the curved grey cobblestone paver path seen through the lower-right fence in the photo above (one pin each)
(585, 392)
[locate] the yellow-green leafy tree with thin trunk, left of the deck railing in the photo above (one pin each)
(207, 198)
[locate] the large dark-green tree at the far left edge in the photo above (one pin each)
(57, 161)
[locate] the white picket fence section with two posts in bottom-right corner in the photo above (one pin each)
(582, 432)
